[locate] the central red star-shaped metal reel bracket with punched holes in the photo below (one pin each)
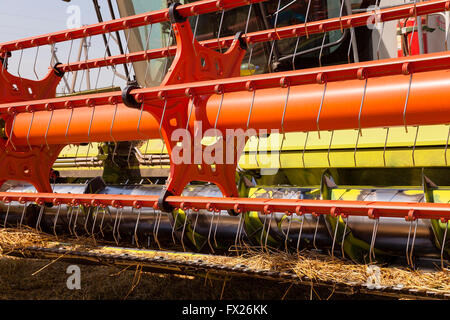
(194, 63)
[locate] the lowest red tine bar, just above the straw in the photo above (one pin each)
(372, 209)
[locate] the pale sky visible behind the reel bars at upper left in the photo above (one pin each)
(25, 18)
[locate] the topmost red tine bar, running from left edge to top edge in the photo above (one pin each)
(187, 10)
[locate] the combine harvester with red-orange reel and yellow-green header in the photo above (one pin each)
(284, 125)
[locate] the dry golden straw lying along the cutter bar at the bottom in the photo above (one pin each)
(316, 266)
